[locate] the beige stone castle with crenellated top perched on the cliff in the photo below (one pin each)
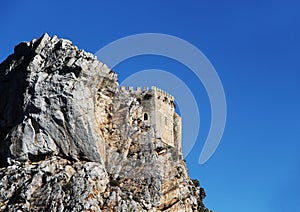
(159, 113)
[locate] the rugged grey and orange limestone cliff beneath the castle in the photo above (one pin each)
(70, 140)
